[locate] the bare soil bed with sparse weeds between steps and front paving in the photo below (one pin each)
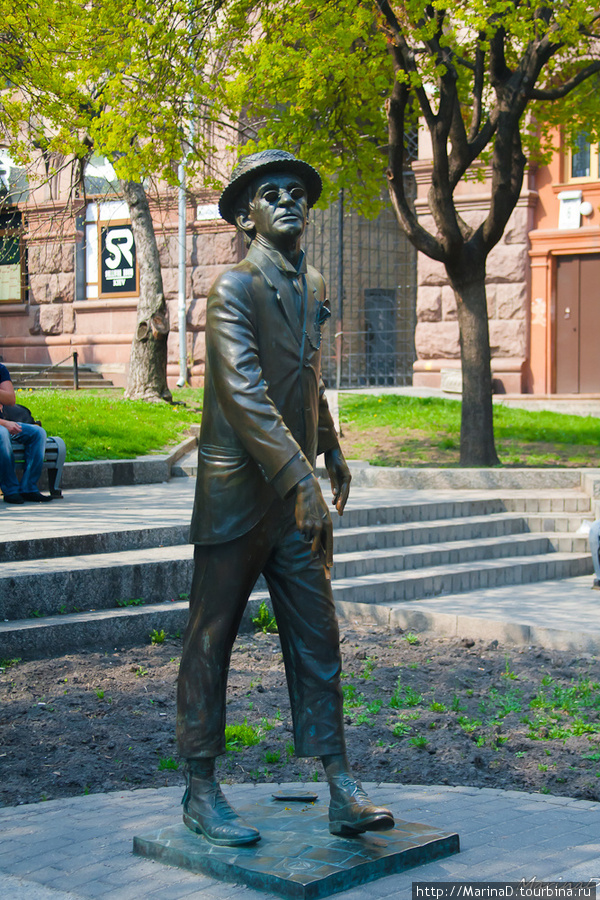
(419, 710)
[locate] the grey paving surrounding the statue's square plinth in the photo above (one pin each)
(81, 847)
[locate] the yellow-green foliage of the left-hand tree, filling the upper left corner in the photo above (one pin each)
(123, 79)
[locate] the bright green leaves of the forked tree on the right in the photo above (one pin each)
(317, 78)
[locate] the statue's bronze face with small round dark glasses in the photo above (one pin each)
(279, 209)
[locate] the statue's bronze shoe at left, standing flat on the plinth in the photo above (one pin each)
(207, 812)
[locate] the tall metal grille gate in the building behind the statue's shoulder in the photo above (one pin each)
(371, 272)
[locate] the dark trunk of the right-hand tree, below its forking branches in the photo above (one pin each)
(477, 446)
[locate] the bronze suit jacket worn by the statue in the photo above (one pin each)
(265, 417)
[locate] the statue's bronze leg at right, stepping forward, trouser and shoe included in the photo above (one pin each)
(304, 608)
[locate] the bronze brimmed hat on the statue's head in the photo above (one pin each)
(261, 163)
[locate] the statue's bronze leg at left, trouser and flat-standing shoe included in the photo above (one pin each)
(224, 575)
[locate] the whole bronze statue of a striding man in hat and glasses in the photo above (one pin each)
(258, 506)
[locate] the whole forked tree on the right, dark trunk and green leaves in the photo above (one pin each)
(344, 81)
